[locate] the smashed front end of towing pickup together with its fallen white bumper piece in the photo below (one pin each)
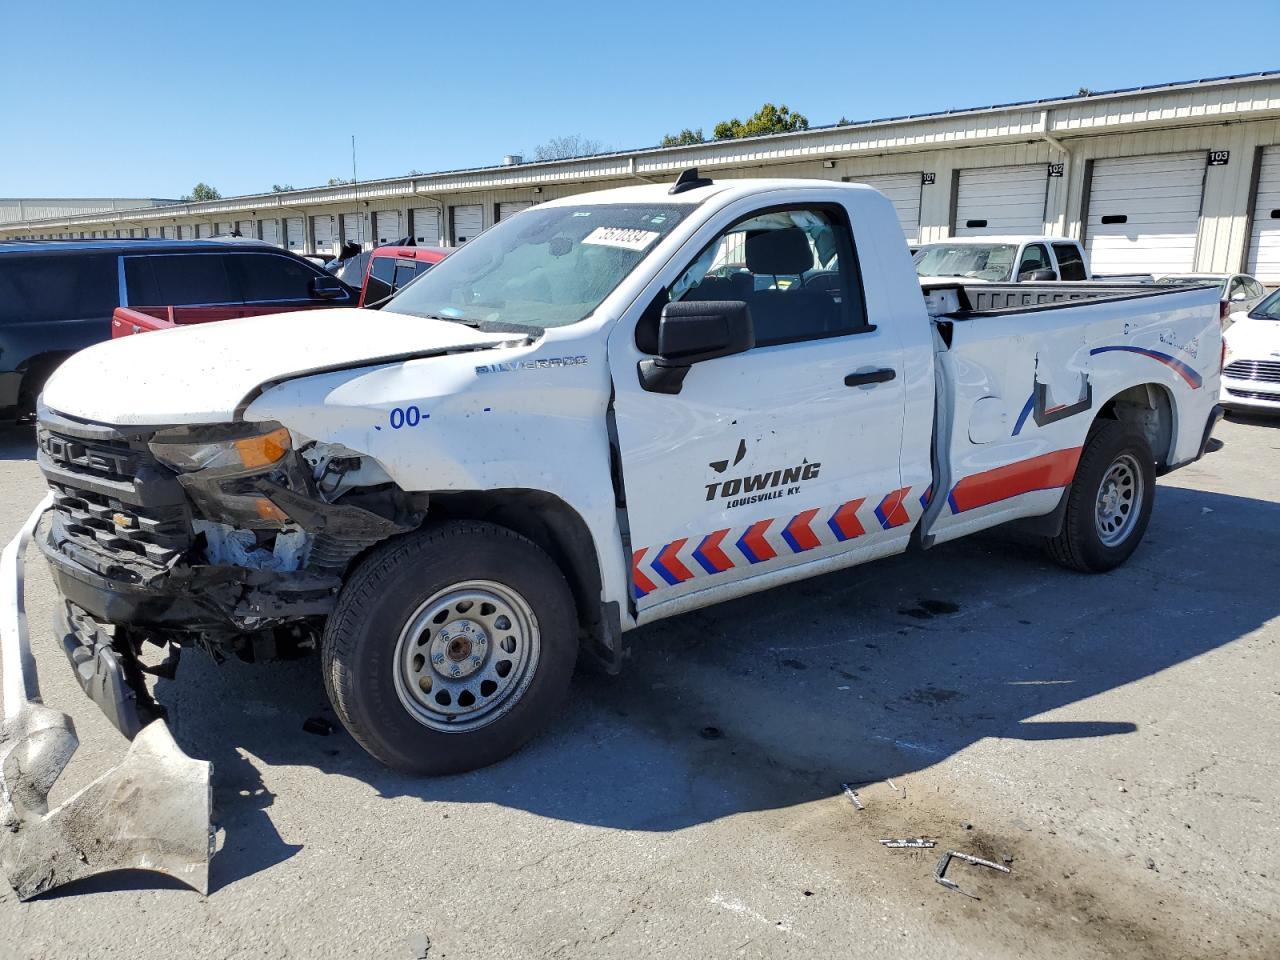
(230, 538)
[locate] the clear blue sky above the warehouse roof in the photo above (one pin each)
(145, 99)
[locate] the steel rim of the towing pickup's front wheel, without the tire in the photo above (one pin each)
(467, 656)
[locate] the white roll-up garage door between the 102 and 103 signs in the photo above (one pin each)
(1145, 214)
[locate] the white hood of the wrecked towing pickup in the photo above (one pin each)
(205, 374)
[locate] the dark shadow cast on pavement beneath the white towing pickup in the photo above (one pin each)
(778, 700)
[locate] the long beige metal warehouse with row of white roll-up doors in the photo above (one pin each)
(1171, 179)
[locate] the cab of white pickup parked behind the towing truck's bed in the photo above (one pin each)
(1003, 260)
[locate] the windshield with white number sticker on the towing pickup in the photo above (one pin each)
(546, 267)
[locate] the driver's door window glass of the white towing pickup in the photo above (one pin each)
(794, 269)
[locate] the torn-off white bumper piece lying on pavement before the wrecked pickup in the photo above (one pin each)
(149, 813)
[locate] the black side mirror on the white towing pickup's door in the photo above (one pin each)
(693, 332)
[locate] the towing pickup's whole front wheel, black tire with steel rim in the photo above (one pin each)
(403, 636)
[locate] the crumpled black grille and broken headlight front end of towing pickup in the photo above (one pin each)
(230, 538)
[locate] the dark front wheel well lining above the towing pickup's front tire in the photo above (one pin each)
(559, 529)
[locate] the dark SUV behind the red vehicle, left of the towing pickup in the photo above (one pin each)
(58, 296)
